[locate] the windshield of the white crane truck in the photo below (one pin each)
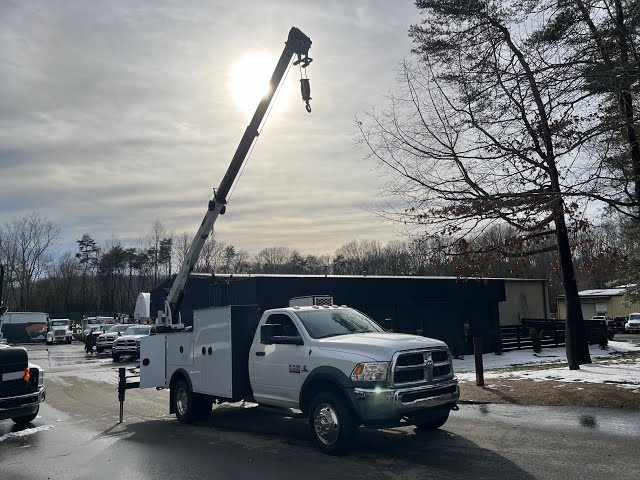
(323, 323)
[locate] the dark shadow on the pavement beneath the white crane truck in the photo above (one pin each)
(438, 453)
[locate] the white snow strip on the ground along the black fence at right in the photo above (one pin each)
(623, 373)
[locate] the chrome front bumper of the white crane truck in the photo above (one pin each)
(387, 406)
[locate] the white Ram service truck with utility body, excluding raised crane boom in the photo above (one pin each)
(330, 364)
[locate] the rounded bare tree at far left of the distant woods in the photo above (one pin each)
(26, 247)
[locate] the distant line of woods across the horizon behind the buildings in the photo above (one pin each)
(107, 277)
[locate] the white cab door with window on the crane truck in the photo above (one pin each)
(278, 371)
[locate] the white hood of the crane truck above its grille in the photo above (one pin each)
(377, 346)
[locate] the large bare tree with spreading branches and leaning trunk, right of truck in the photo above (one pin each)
(484, 132)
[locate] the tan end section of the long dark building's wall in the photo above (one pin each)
(524, 299)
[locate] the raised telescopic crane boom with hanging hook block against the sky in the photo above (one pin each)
(297, 45)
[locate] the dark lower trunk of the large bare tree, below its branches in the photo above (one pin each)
(576, 342)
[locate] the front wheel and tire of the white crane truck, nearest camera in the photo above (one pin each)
(332, 423)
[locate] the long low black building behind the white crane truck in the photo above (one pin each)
(448, 308)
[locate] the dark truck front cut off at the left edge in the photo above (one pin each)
(22, 387)
